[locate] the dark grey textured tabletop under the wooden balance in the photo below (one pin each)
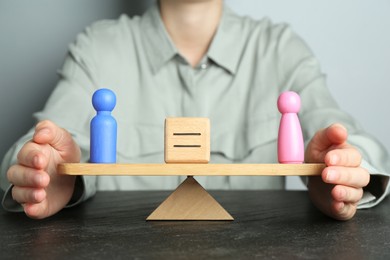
(268, 224)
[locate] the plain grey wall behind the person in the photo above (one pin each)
(351, 38)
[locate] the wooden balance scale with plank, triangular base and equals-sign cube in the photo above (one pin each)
(187, 152)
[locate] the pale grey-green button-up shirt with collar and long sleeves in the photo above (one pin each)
(236, 85)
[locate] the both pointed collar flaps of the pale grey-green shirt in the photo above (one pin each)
(224, 49)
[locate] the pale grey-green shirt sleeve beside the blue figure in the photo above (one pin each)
(69, 106)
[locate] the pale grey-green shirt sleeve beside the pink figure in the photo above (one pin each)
(319, 110)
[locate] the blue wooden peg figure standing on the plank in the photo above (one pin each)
(103, 128)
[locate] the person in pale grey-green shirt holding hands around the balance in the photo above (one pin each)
(190, 58)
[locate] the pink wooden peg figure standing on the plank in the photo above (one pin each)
(290, 139)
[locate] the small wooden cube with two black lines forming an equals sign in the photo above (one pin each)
(187, 140)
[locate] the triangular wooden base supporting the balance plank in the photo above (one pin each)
(190, 201)
